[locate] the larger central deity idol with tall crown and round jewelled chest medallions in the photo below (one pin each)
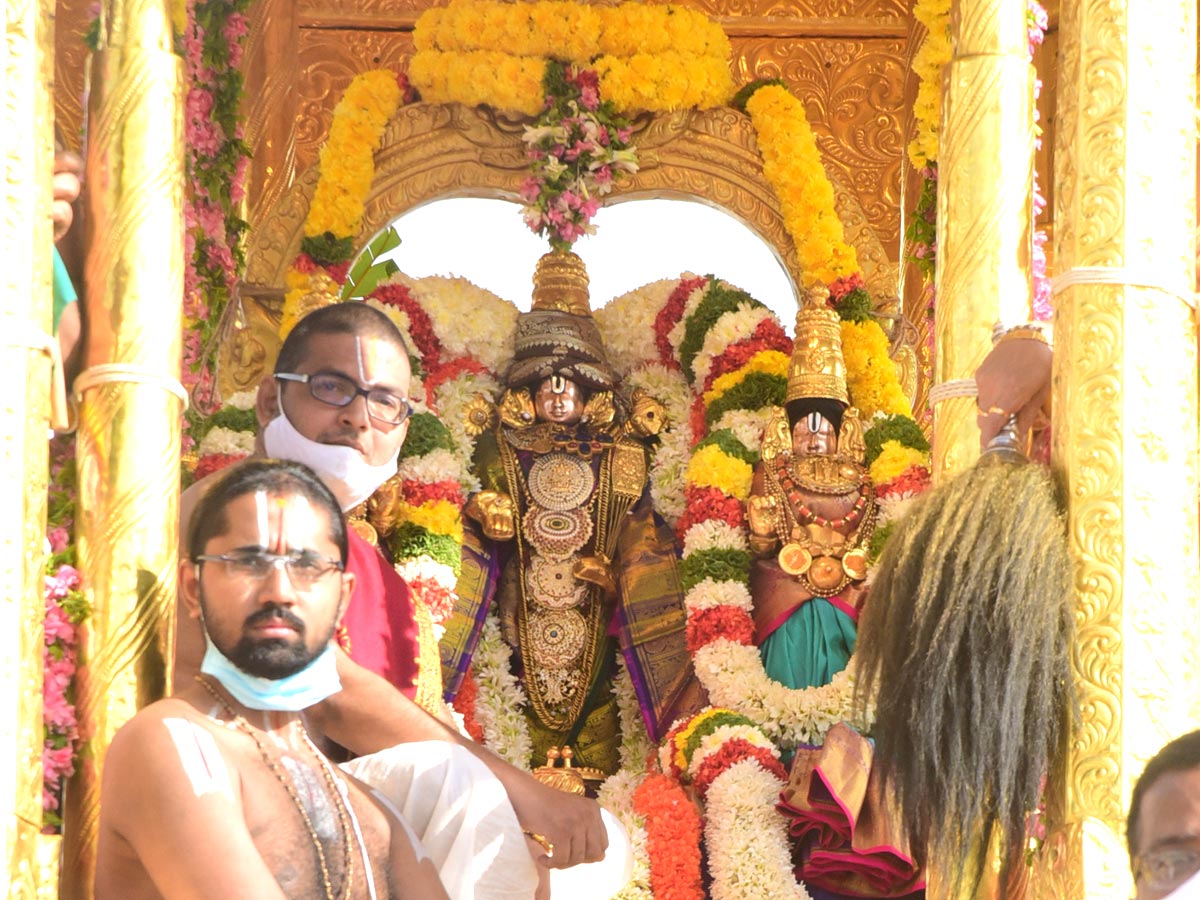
(574, 557)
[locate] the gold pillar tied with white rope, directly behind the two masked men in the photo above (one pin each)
(129, 422)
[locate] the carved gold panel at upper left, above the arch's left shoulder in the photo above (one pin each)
(328, 63)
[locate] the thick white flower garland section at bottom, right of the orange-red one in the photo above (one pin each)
(747, 837)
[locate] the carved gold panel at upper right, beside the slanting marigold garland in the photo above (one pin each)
(854, 93)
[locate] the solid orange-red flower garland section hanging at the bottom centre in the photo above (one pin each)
(673, 839)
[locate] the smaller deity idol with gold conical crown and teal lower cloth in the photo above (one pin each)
(812, 514)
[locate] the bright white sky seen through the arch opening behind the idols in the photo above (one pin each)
(637, 243)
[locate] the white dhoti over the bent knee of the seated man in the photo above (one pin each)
(461, 815)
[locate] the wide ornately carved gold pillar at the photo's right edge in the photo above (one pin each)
(1125, 419)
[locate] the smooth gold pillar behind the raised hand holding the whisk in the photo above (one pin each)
(985, 207)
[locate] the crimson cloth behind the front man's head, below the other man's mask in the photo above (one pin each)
(380, 619)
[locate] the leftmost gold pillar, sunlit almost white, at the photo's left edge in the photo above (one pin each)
(26, 329)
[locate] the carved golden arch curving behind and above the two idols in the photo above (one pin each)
(439, 151)
